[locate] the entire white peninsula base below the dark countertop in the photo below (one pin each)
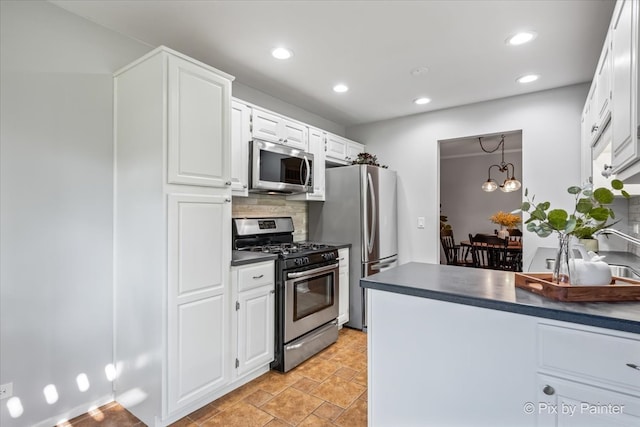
(485, 367)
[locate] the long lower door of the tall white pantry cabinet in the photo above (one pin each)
(199, 253)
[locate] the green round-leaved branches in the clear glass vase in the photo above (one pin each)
(590, 214)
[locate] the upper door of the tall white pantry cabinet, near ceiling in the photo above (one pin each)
(198, 125)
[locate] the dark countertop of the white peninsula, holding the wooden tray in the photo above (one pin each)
(496, 290)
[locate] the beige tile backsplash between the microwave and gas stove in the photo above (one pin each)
(269, 205)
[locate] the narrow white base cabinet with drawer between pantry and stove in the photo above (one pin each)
(254, 290)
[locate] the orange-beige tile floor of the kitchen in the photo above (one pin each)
(330, 389)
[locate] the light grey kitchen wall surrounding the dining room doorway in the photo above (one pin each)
(550, 124)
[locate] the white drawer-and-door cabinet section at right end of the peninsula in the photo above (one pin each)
(586, 377)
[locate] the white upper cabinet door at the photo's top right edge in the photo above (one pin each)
(623, 141)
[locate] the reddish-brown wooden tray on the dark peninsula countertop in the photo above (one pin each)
(620, 289)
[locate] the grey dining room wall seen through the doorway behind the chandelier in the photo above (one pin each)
(466, 205)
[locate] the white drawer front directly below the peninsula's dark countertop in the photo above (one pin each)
(589, 354)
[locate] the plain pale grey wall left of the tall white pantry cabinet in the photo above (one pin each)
(56, 207)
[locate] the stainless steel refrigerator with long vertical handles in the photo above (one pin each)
(359, 208)
